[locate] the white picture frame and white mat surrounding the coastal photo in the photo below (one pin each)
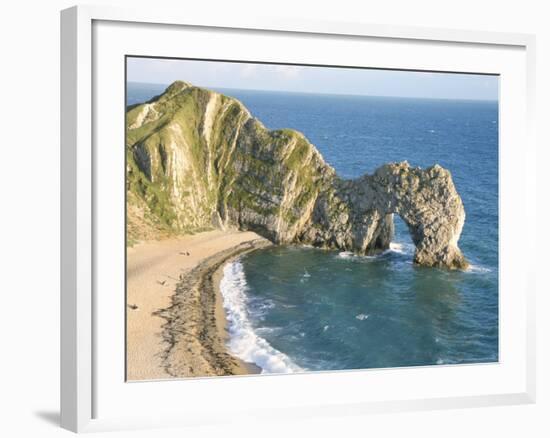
(83, 375)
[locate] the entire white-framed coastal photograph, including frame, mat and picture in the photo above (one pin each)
(255, 209)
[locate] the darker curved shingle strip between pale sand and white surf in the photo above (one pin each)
(195, 329)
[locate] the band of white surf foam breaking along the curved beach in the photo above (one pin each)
(243, 341)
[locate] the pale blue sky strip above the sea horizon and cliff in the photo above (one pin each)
(372, 82)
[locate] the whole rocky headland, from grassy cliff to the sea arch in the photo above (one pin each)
(197, 159)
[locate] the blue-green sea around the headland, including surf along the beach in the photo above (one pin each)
(299, 309)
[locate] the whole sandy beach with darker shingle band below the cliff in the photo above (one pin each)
(176, 324)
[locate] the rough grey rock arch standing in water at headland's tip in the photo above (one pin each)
(426, 200)
